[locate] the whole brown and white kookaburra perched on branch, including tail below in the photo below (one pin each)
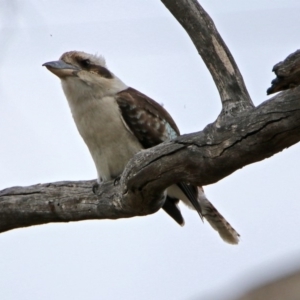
(116, 121)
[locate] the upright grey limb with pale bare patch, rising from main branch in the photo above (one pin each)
(217, 57)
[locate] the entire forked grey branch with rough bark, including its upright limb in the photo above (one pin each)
(241, 135)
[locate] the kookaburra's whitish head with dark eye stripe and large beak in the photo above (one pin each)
(85, 76)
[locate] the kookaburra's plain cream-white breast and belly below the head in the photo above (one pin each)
(99, 121)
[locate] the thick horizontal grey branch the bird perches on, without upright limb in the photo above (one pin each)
(200, 158)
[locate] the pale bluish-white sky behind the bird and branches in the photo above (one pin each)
(149, 257)
